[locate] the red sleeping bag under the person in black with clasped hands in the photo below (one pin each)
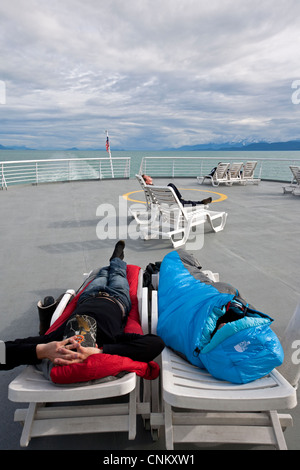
(98, 366)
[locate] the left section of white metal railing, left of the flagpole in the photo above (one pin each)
(54, 170)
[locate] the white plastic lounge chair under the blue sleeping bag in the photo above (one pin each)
(197, 408)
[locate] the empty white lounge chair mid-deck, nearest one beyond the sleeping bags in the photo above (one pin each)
(175, 219)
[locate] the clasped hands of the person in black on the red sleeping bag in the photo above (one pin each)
(64, 352)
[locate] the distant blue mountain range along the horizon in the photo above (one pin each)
(227, 146)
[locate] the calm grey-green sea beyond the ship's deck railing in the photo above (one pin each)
(282, 158)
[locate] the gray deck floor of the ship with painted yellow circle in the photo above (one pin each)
(48, 239)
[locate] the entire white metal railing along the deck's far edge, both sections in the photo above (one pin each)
(59, 170)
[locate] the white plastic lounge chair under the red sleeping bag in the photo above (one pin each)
(41, 420)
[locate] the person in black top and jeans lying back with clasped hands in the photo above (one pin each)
(100, 317)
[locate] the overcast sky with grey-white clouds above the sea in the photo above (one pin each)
(155, 73)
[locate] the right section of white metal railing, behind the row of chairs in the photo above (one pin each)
(273, 169)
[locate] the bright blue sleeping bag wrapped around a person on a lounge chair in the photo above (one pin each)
(189, 307)
